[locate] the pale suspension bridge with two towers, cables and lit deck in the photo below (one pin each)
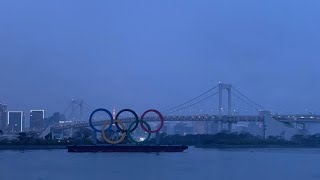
(200, 109)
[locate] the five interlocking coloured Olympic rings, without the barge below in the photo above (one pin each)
(122, 128)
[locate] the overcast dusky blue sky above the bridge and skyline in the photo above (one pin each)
(142, 54)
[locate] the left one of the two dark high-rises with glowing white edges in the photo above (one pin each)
(15, 121)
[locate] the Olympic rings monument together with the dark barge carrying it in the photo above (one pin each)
(131, 144)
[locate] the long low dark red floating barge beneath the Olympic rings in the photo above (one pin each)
(125, 148)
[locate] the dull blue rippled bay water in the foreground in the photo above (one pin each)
(248, 164)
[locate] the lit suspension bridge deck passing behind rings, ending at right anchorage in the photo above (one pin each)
(230, 119)
